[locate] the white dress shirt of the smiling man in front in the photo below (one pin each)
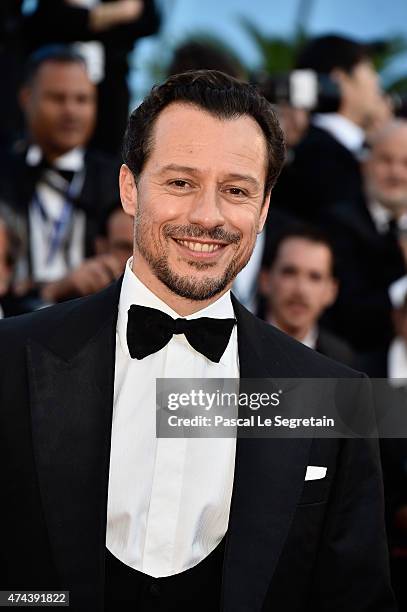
(168, 499)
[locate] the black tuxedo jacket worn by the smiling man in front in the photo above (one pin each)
(291, 545)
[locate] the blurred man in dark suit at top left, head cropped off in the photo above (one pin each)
(106, 32)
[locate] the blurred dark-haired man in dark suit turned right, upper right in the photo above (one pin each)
(325, 166)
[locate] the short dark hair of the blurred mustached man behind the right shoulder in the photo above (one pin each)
(303, 232)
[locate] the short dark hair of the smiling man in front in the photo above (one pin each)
(217, 93)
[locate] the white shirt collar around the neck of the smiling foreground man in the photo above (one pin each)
(133, 291)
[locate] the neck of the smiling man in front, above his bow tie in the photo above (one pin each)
(182, 306)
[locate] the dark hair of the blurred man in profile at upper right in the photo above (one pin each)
(325, 53)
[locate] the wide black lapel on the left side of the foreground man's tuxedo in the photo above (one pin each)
(71, 405)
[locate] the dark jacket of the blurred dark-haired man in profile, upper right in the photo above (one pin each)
(321, 173)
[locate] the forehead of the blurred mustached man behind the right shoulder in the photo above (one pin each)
(304, 253)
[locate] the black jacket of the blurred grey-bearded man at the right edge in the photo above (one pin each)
(367, 263)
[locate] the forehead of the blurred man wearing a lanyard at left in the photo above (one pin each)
(62, 75)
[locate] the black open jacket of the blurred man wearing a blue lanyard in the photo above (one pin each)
(99, 193)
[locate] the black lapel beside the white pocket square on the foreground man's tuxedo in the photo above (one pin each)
(268, 480)
